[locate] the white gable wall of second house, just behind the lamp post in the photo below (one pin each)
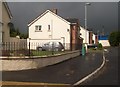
(84, 34)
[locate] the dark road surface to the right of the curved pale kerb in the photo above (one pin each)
(109, 75)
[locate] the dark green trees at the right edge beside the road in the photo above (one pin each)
(114, 38)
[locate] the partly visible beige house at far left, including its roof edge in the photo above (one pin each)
(6, 17)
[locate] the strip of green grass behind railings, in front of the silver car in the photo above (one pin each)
(45, 53)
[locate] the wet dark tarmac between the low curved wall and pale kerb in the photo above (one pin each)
(68, 72)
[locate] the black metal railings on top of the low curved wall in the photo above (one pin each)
(32, 49)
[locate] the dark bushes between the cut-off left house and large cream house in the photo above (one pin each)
(15, 32)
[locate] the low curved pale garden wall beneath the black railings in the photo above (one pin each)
(9, 64)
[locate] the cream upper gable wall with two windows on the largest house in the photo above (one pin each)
(51, 27)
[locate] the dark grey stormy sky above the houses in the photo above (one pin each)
(102, 16)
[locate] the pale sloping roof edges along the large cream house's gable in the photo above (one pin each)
(37, 18)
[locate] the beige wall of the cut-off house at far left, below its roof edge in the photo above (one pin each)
(5, 27)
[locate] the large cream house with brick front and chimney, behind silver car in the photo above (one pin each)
(50, 27)
